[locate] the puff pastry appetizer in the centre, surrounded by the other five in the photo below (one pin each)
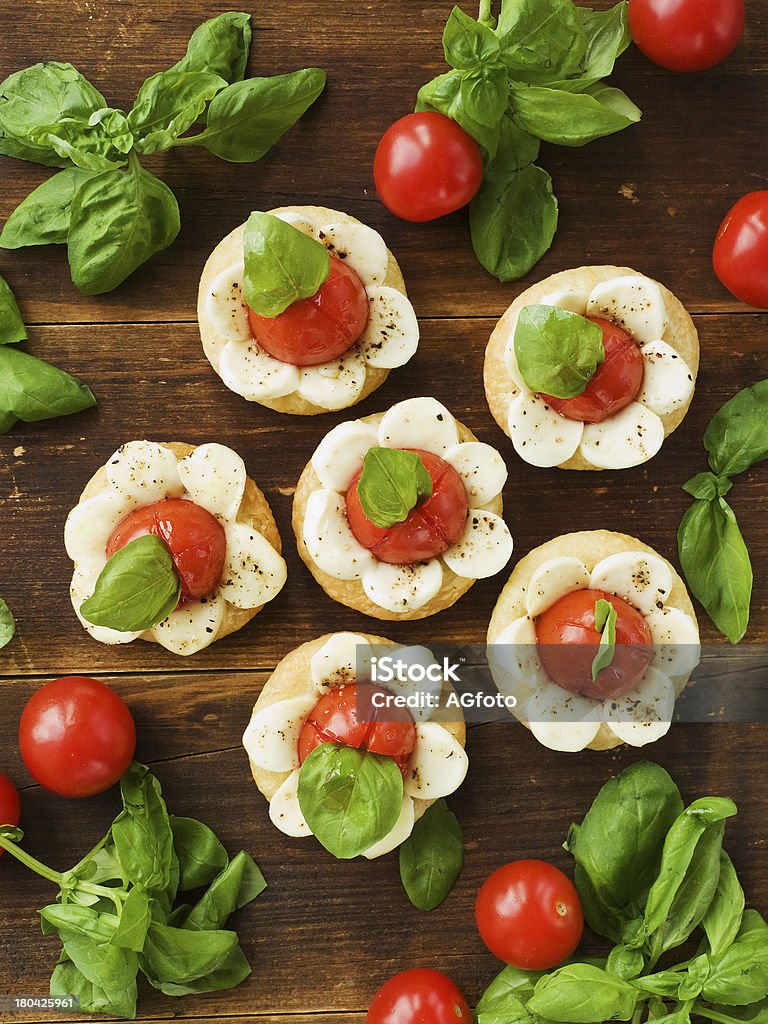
(398, 515)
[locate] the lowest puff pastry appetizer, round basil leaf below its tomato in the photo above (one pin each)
(312, 700)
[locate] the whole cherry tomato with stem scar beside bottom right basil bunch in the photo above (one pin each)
(529, 915)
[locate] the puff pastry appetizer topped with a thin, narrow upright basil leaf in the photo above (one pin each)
(595, 636)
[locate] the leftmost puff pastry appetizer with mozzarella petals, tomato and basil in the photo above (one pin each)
(177, 525)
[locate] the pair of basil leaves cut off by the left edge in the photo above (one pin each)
(30, 389)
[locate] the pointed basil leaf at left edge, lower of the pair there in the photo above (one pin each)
(32, 391)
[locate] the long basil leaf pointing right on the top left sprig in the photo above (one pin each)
(246, 120)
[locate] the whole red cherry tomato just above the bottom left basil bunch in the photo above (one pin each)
(77, 737)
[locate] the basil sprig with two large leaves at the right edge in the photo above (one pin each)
(712, 550)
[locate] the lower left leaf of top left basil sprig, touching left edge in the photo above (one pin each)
(44, 219)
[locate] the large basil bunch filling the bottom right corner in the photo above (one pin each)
(652, 875)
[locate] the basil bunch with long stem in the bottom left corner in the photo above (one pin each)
(118, 911)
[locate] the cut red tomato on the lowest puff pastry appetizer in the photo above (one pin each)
(334, 720)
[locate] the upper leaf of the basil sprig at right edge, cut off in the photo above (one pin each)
(738, 435)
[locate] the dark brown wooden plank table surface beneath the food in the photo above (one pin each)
(326, 934)
